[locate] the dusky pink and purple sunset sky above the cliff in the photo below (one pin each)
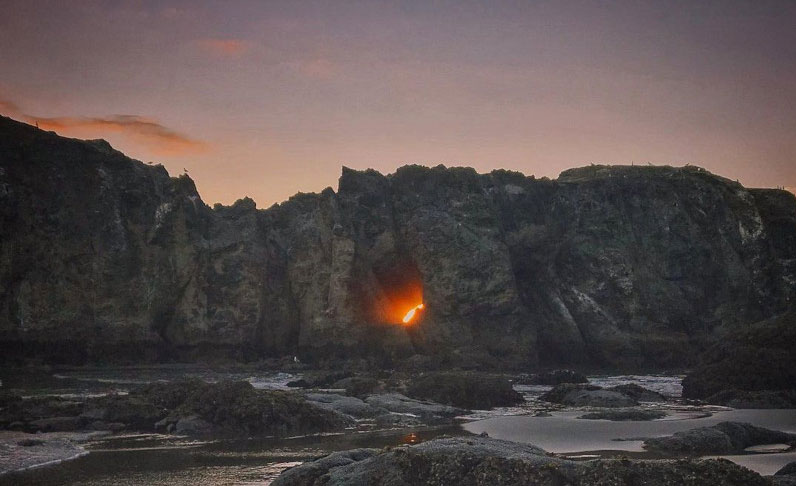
(266, 99)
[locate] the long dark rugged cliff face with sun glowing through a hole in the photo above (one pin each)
(103, 257)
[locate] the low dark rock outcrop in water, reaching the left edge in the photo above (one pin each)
(191, 407)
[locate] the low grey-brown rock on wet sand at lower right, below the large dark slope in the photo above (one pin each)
(722, 438)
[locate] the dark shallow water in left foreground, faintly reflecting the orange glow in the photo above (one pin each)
(166, 460)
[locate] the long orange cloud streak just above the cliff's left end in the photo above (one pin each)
(157, 138)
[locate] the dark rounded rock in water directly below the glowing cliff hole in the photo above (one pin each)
(465, 389)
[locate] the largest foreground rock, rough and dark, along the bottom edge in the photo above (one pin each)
(483, 461)
